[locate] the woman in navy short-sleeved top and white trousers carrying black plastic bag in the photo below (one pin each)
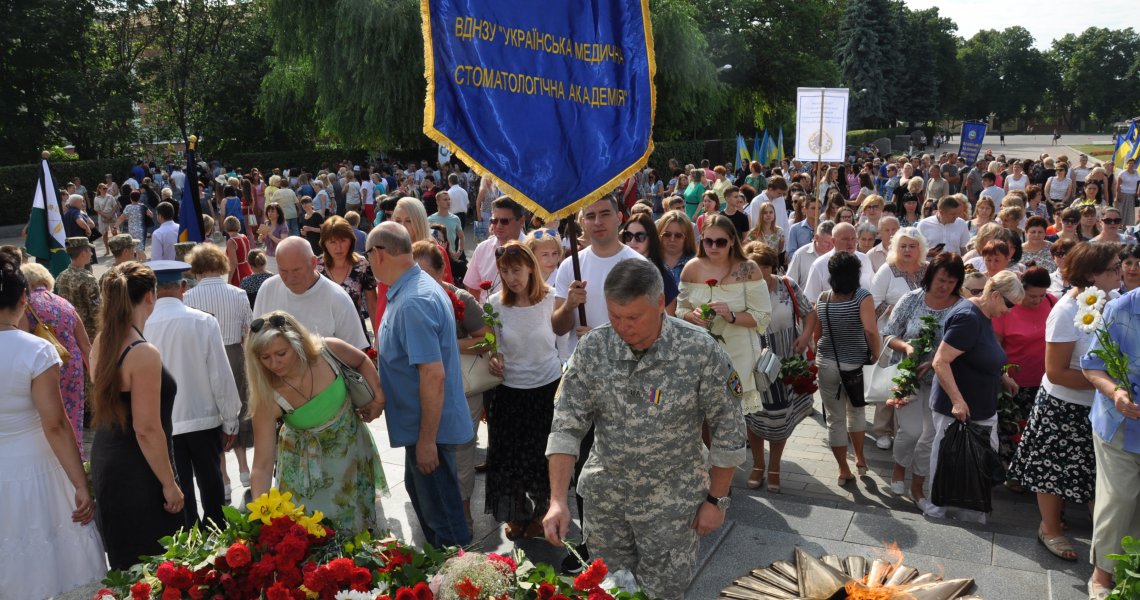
(968, 370)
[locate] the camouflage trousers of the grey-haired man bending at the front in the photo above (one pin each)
(662, 553)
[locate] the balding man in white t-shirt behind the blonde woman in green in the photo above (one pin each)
(322, 306)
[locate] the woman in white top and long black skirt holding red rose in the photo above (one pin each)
(519, 419)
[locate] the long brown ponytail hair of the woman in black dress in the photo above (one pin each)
(124, 288)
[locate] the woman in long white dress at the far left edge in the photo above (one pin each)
(47, 540)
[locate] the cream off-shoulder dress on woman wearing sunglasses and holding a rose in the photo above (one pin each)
(739, 343)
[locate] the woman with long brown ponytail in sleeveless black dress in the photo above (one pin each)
(139, 497)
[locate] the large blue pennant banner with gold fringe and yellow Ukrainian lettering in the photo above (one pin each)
(555, 100)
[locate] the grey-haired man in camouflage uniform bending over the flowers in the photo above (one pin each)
(649, 496)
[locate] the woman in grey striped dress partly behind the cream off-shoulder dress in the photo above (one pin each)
(784, 404)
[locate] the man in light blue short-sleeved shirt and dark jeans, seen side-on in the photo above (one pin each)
(420, 372)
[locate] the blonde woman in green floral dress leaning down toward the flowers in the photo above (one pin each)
(324, 453)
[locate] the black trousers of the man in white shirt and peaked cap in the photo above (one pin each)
(198, 458)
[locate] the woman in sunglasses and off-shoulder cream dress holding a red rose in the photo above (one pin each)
(724, 293)
